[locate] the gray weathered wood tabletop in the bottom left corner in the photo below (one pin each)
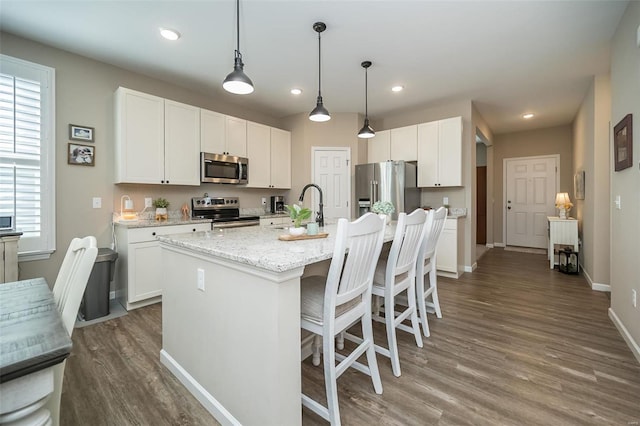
(32, 336)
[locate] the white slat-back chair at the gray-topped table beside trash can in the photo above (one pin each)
(67, 292)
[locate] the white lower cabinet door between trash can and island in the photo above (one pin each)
(144, 272)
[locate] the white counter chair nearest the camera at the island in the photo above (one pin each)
(330, 305)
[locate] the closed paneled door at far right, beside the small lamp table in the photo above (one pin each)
(531, 185)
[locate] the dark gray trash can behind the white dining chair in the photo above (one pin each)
(95, 302)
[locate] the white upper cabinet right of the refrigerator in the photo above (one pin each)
(440, 153)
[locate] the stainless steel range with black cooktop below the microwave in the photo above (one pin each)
(224, 211)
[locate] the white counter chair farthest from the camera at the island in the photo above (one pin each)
(426, 264)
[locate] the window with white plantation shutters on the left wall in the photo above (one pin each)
(27, 153)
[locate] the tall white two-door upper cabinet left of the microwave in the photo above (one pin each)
(157, 140)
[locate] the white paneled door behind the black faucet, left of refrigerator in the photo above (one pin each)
(331, 172)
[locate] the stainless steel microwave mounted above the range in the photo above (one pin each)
(219, 168)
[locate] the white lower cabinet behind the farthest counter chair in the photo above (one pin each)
(449, 254)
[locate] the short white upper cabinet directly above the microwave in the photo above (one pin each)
(223, 134)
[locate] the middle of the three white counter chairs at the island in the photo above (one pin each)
(395, 275)
